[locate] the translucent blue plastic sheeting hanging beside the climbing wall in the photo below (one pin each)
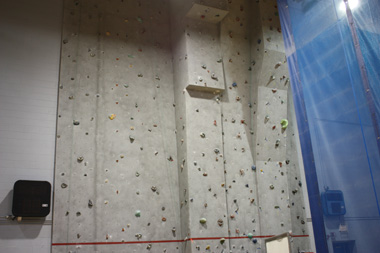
(333, 52)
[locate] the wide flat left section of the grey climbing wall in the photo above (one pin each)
(116, 177)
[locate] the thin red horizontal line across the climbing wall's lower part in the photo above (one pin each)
(164, 241)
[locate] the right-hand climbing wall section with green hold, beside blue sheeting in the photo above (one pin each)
(280, 187)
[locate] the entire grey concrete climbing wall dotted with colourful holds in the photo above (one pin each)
(173, 131)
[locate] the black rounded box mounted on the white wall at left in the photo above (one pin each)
(31, 198)
